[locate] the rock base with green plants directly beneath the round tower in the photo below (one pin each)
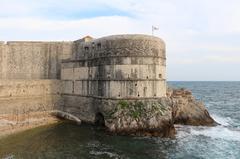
(141, 118)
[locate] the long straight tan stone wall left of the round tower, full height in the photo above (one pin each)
(30, 86)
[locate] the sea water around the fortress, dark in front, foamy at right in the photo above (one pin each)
(67, 140)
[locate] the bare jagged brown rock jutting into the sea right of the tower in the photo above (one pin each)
(187, 110)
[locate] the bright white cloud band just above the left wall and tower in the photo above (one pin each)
(41, 29)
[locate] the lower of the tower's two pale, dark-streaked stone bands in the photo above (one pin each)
(115, 89)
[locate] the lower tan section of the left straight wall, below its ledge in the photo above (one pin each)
(23, 96)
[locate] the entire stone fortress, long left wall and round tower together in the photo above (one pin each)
(83, 79)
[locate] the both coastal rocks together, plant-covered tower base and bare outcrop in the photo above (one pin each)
(157, 117)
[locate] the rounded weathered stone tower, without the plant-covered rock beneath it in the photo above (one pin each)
(113, 68)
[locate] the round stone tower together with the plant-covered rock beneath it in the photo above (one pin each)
(107, 72)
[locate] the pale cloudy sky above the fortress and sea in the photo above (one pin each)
(202, 36)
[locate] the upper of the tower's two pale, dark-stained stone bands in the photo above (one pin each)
(115, 72)
